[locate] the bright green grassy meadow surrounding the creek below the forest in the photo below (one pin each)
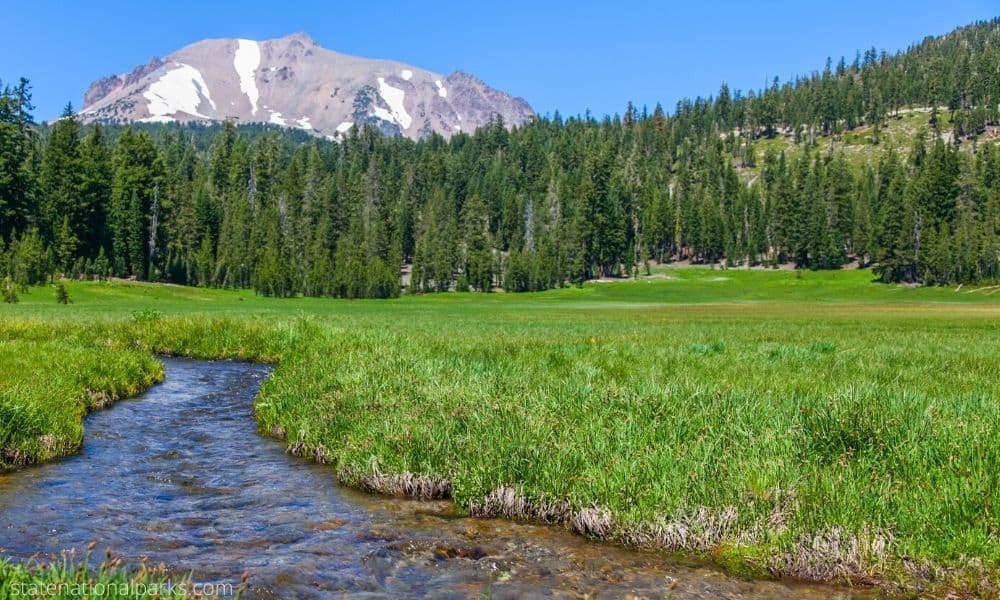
(814, 425)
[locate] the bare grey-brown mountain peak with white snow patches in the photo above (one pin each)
(294, 82)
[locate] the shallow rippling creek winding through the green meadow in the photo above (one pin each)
(181, 476)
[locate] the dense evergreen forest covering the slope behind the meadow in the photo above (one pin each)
(557, 201)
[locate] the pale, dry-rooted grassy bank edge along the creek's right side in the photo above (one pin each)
(863, 563)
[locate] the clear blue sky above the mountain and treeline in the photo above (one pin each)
(559, 56)
